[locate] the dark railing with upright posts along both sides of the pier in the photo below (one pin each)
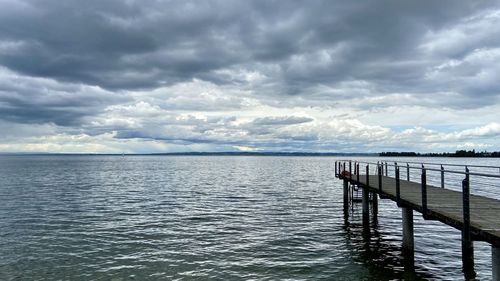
(429, 174)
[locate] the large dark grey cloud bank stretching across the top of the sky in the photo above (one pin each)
(130, 44)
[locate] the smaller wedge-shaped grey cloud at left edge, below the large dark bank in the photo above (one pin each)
(39, 101)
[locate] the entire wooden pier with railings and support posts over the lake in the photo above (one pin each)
(477, 217)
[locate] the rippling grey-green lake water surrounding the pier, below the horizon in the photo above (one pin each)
(205, 218)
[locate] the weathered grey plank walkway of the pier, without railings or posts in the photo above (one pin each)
(442, 204)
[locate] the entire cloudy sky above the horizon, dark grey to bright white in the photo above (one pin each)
(126, 76)
